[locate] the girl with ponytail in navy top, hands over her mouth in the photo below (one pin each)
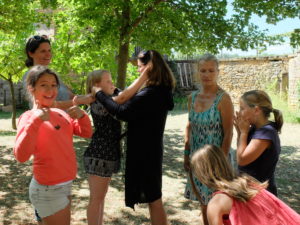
(258, 146)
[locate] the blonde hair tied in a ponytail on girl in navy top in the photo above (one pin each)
(263, 101)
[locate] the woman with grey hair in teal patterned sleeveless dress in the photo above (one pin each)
(210, 122)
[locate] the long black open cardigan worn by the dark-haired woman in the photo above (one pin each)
(146, 114)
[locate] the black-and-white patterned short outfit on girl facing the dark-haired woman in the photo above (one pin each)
(102, 156)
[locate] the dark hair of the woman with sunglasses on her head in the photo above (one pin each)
(32, 45)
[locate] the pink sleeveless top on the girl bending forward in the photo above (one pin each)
(263, 209)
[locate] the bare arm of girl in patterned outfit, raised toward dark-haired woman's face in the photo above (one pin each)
(132, 89)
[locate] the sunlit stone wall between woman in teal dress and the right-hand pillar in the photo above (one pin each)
(240, 75)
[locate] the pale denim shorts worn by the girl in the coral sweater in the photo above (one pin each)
(48, 200)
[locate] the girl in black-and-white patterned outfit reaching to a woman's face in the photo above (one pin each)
(102, 156)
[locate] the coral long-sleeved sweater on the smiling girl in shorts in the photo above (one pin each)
(51, 144)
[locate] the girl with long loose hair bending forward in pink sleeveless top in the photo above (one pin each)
(243, 198)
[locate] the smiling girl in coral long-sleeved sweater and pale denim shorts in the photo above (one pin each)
(47, 135)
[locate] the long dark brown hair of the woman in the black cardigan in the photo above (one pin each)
(160, 74)
